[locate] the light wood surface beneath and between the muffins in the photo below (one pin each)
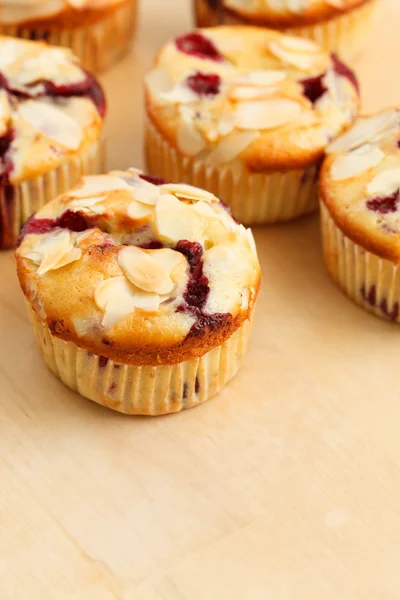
(285, 487)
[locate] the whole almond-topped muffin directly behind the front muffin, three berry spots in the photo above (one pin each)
(246, 113)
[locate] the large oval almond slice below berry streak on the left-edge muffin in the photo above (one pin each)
(52, 122)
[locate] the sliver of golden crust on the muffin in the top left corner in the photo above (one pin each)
(57, 13)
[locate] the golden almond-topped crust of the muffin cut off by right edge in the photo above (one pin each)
(363, 201)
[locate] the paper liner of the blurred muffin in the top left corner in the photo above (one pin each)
(98, 44)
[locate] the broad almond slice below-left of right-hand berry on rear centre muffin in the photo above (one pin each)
(266, 114)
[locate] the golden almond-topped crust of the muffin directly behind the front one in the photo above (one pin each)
(198, 126)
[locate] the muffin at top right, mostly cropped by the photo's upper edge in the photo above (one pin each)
(339, 25)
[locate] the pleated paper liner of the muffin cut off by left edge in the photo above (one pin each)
(19, 202)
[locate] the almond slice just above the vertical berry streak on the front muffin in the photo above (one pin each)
(174, 220)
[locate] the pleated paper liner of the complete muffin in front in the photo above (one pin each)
(141, 390)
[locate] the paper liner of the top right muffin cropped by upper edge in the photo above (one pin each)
(344, 35)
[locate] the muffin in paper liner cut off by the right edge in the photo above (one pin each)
(360, 210)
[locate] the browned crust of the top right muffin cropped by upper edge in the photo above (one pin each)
(305, 12)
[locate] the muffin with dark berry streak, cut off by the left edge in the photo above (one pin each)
(51, 116)
